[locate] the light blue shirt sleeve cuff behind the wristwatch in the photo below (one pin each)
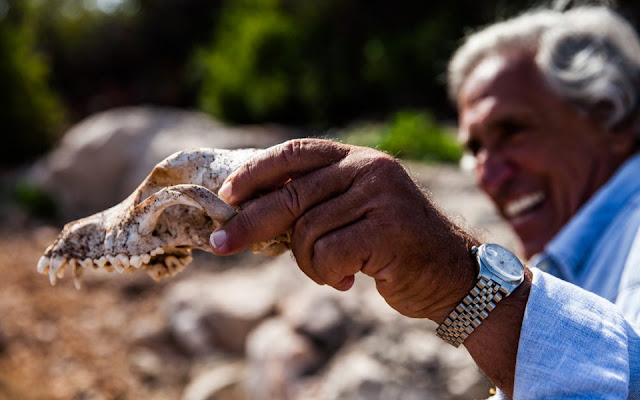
(574, 344)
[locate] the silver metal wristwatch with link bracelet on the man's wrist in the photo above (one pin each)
(499, 274)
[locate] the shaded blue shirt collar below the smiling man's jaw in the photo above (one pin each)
(573, 244)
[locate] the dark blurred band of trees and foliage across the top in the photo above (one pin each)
(317, 65)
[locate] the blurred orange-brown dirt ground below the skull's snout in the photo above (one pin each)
(62, 343)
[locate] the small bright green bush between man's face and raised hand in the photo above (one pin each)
(410, 135)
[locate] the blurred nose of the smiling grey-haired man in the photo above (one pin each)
(493, 170)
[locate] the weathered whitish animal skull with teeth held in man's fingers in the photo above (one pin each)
(172, 212)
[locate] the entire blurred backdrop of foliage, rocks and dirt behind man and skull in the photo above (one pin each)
(94, 92)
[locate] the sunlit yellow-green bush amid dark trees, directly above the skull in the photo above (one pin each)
(243, 75)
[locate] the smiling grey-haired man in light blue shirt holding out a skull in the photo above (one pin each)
(548, 106)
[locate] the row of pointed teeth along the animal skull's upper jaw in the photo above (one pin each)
(169, 266)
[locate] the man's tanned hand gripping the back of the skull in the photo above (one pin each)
(351, 209)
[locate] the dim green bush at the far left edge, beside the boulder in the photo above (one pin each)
(31, 114)
